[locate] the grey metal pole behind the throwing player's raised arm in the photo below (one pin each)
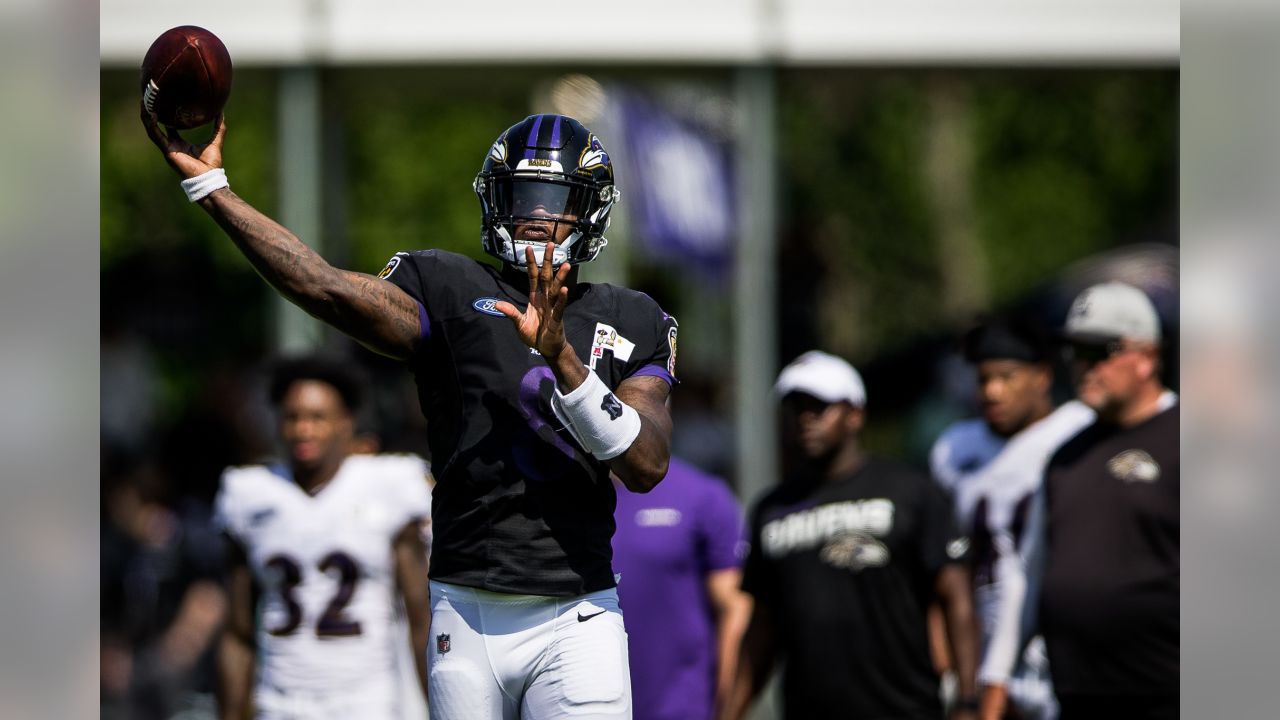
(300, 151)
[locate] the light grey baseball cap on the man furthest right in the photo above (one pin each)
(1113, 311)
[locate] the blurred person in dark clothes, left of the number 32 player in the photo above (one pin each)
(161, 600)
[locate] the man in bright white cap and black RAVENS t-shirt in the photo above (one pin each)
(847, 555)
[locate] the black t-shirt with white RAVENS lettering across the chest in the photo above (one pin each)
(847, 571)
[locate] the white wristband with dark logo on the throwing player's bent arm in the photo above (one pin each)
(598, 420)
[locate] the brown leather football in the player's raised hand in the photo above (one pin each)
(186, 78)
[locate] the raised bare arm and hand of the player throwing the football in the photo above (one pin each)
(378, 315)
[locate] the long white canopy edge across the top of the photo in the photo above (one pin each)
(789, 33)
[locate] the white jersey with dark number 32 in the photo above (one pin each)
(324, 566)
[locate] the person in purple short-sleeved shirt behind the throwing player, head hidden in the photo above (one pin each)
(680, 553)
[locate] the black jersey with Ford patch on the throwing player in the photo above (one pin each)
(519, 507)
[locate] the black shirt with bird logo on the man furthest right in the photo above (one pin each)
(1109, 605)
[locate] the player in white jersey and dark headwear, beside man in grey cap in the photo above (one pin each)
(994, 467)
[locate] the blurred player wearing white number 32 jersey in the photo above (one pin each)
(323, 548)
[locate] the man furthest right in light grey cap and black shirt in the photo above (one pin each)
(1109, 521)
